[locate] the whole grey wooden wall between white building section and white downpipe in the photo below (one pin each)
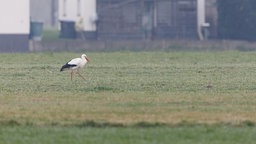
(147, 19)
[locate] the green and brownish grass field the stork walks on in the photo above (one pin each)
(129, 97)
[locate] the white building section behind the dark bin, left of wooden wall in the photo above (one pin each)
(81, 12)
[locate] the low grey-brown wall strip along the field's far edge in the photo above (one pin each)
(140, 45)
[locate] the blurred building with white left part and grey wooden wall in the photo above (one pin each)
(124, 19)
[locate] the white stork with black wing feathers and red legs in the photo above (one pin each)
(76, 63)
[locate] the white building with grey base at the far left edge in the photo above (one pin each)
(14, 25)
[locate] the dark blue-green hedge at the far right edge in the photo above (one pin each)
(237, 19)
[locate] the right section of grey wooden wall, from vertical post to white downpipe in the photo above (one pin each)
(176, 19)
